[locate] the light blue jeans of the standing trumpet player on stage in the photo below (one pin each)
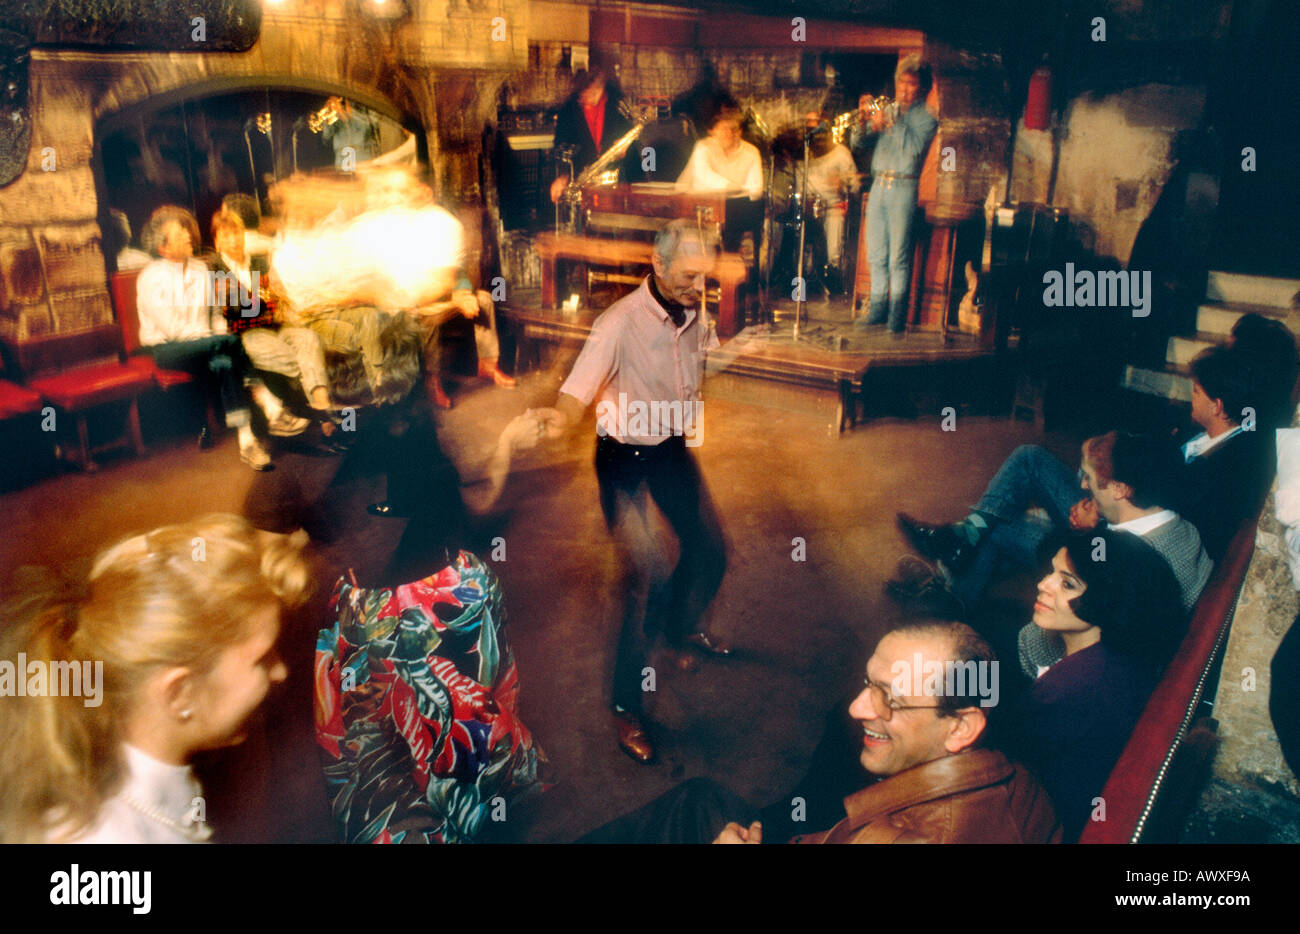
(891, 213)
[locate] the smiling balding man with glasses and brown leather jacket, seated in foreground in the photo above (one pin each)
(918, 737)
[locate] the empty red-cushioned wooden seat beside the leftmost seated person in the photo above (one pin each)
(80, 373)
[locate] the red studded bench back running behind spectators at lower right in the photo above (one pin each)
(1150, 773)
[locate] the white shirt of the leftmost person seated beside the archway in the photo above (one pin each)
(174, 302)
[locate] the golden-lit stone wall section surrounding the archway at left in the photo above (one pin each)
(440, 67)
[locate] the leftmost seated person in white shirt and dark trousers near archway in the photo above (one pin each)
(181, 330)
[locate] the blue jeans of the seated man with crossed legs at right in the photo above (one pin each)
(1030, 477)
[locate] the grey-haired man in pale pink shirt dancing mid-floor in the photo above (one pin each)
(644, 366)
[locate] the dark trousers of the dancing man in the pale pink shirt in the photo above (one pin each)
(658, 599)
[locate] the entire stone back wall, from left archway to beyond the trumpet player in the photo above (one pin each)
(450, 64)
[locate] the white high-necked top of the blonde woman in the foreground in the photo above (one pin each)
(167, 790)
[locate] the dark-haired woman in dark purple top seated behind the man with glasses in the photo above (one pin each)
(1116, 606)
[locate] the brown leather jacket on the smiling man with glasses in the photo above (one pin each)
(976, 797)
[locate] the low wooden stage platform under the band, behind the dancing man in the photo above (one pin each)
(831, 354)
